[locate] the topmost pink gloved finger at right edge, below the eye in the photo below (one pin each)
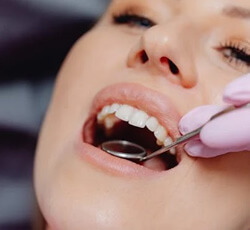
(238, 91)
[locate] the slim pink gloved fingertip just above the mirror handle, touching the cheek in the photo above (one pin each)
(197, 117)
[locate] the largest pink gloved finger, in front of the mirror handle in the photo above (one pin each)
(230, 130)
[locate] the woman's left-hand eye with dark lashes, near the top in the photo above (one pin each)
(133, 20)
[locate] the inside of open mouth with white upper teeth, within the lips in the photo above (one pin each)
(125, 122)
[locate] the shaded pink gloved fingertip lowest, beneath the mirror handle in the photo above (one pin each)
(196, 148)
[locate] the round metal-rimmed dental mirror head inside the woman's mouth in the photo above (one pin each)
(124, 149)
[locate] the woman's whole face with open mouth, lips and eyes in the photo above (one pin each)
(162, 57)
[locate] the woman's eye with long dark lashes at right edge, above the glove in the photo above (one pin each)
(235, 53)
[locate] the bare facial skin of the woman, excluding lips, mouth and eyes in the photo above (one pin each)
(206, 194)
